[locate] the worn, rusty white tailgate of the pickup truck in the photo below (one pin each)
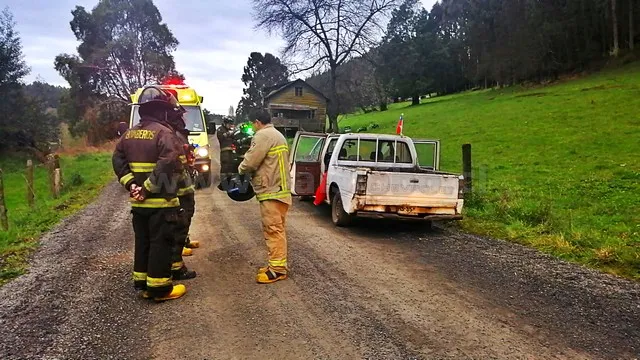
(412, 190)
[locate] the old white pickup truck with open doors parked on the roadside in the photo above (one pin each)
(376, 175)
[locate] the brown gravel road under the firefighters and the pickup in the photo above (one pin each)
(379, 290)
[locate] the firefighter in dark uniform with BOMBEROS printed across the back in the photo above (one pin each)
(146, 162)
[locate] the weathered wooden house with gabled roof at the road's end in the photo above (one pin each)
(296, 106)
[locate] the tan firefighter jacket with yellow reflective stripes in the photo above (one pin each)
(268, 160)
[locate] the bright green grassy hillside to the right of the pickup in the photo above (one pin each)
(558, 167)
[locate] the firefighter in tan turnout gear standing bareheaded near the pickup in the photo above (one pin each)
(268, 161)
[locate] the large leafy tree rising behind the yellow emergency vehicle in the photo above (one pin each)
(123, 45)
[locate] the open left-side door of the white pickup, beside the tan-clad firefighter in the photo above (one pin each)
(305, 161)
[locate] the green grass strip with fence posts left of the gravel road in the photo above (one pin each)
(84, 177)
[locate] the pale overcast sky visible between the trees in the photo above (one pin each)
(216, 38)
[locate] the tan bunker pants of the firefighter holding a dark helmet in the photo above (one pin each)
(274, 213)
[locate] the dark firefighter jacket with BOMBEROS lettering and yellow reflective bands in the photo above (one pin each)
(148, 155)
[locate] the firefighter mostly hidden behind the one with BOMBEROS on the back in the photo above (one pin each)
(186, 196)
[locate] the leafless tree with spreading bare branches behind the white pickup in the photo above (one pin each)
(323, 34)
